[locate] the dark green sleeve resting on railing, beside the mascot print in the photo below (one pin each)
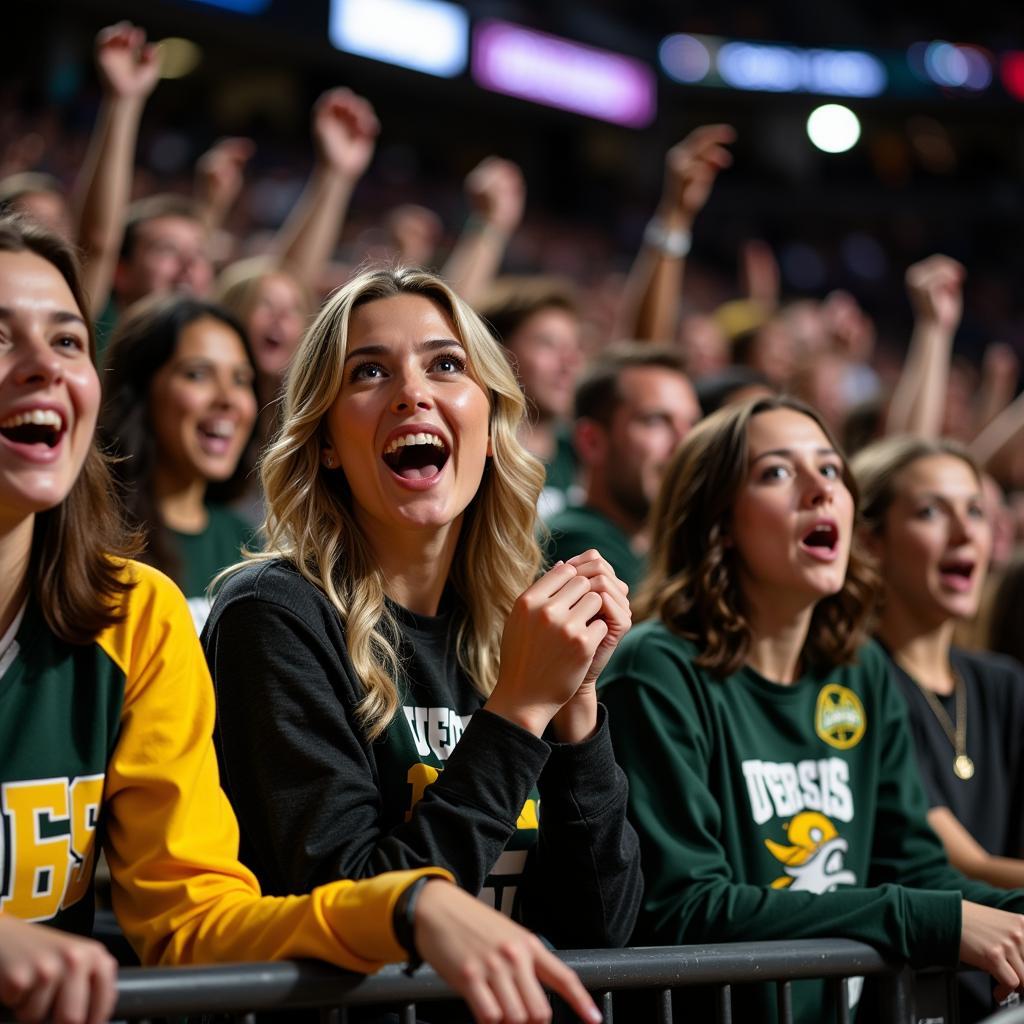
(693, 894)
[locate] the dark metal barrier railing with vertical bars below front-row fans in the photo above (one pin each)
(248, 989)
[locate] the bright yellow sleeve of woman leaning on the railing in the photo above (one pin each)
(180, 892)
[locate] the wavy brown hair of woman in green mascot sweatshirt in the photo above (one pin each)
(694, 586)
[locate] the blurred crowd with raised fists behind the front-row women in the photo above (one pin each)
(215, 242)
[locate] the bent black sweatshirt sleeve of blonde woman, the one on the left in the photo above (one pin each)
(305, 783)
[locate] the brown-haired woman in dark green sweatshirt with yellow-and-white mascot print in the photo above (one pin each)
(772, 772)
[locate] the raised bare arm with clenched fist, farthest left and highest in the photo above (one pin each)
(129, 69)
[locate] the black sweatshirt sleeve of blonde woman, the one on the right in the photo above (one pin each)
(584, 836)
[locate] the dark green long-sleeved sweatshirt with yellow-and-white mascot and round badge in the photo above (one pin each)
(781, 813)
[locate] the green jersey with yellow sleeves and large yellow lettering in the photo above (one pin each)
(111, 743)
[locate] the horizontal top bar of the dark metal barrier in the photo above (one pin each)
(293, 985)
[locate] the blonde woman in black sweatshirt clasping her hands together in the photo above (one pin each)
(397, 684)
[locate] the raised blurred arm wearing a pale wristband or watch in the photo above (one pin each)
(654, 290)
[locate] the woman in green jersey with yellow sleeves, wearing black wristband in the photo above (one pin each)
(106, 723)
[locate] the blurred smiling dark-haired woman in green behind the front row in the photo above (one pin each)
(179, 415)
